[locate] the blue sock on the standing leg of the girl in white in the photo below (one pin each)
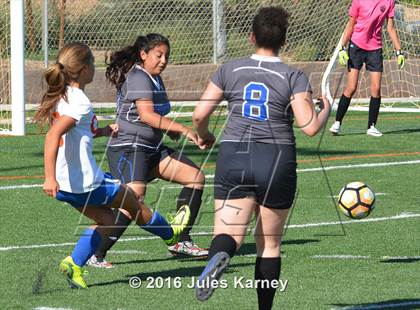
(86, 246)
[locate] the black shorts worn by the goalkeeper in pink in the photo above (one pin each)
(373, 59)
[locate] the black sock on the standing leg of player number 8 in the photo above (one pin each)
(266, 268)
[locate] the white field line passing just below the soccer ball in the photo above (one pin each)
(379, 219)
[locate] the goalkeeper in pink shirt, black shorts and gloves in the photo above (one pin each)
(364, 35)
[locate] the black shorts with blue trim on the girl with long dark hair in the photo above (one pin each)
(136, 163)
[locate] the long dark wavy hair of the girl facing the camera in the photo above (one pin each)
(121, 61)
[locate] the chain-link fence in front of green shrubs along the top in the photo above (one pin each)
(194, 27)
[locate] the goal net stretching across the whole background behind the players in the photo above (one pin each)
(203, 34)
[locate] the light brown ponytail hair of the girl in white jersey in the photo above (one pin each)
(71, 60)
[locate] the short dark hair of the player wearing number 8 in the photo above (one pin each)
(270, 27)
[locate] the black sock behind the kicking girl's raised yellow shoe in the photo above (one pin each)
(192, 198)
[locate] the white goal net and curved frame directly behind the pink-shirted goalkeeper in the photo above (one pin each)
(400, 88)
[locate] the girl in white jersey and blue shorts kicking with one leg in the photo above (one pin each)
(71, 172)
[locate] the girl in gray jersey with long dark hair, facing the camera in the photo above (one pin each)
(137, 155)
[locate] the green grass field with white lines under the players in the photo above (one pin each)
(372, 263)
